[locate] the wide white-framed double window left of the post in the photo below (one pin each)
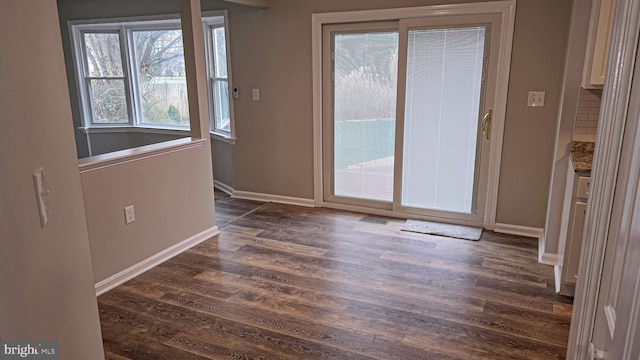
(132, 74)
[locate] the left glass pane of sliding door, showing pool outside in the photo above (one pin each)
(365, 114)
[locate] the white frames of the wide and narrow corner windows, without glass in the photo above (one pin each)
(125, 27)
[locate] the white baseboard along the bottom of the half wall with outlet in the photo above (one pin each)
(153, 261)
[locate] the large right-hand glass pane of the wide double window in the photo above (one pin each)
(162, 85)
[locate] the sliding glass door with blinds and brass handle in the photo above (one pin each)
(406, 123)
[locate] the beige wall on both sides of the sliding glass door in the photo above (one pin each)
(271, 50)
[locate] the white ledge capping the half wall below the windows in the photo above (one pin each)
(134, 154)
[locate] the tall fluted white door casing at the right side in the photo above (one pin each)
(613, 118)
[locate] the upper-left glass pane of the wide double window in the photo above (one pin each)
(103, 55)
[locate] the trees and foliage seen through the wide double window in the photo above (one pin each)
(161, 78)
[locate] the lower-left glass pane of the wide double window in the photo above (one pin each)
(108, 100)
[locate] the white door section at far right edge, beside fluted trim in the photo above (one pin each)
(618, 309)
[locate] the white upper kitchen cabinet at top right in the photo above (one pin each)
(598, 43)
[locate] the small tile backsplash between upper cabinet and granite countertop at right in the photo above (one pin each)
(587, 115)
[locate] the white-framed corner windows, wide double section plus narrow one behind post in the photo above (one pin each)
(131, 73)
